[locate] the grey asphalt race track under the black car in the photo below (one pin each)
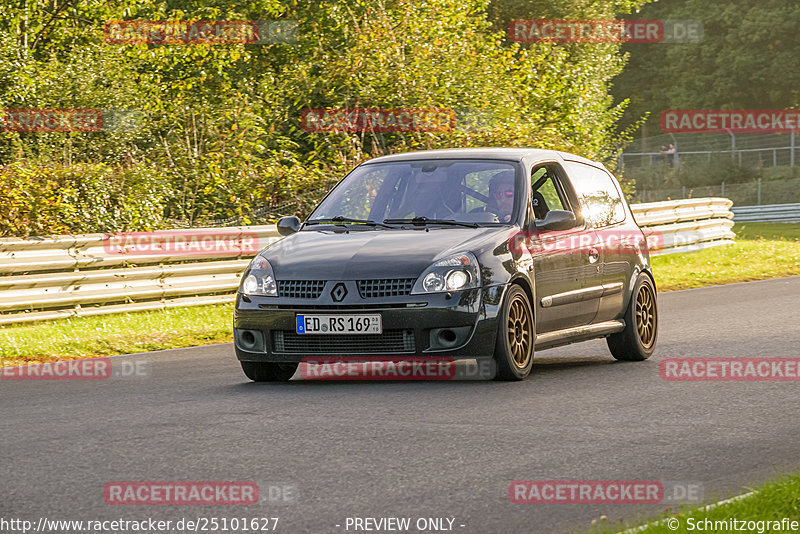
(418, 449)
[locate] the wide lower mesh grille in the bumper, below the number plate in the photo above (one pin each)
(390, 341)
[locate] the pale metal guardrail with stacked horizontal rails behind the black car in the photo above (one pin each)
(93, 274)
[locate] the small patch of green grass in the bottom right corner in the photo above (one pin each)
(770, 503)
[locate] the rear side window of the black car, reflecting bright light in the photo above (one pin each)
(601, 203)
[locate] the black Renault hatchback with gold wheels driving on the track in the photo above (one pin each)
(478, 254)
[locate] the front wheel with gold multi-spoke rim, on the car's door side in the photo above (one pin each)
(516, 332)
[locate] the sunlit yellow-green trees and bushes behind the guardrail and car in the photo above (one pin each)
(220, 124)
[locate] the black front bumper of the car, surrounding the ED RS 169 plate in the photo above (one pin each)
(458, 325)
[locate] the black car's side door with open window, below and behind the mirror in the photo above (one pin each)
(566, 262)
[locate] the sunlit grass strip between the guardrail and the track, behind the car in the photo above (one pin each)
(762, 251)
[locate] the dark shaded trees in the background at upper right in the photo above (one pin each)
(746, 60)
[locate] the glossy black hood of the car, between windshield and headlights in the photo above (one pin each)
(366, 254)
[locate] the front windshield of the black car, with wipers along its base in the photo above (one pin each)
(447, 191)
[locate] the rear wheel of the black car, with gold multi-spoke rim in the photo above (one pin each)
(638, 341)
